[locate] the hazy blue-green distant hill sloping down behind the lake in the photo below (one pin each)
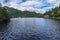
(19, 13)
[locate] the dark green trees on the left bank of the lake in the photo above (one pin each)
(4, 13)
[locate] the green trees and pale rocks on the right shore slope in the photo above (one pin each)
(54, 13)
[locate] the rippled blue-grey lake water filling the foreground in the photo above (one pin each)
(30, 29)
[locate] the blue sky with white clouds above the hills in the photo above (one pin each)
(38, 6)
